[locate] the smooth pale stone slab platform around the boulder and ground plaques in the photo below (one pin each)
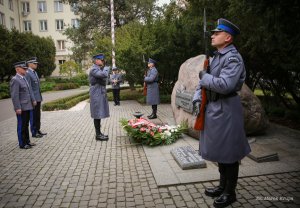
(286, 144)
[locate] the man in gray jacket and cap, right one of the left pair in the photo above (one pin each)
(34, 82)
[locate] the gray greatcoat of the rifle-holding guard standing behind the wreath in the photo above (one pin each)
(152, 86)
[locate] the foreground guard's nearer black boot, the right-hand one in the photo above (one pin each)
(228, 196)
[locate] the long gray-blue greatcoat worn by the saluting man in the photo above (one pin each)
(98, 95)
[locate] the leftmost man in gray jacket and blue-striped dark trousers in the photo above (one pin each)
(23, 102)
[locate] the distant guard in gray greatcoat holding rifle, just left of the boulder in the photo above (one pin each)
(151, 79)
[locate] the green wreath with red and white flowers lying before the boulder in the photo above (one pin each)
(145, 132)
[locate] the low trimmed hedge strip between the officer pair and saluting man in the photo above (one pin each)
(65, 103)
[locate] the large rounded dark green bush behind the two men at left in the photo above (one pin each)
(16, 46)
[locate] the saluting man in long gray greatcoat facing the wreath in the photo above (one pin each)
(98, 96)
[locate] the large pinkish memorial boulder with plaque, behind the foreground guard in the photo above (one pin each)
(255, 119)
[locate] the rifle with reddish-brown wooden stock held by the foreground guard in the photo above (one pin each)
(199, 123)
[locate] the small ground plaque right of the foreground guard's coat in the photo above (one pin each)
(259, 154)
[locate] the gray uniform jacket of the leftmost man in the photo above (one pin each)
(21, 94)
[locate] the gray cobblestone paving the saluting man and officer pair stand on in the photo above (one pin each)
(69, 168)
